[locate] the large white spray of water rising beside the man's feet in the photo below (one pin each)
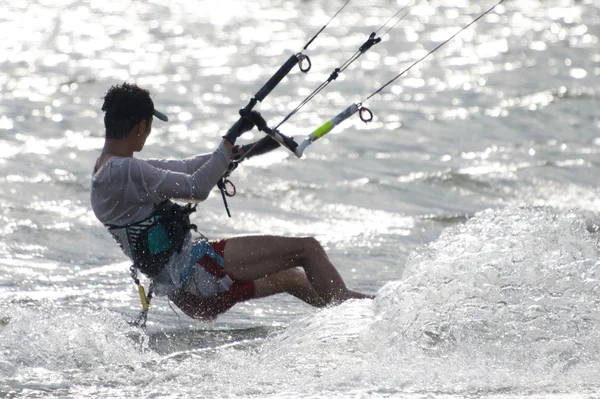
(506, 302)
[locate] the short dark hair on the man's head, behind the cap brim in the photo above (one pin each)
(125, 106)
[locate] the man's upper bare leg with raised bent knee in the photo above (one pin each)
(256, 257)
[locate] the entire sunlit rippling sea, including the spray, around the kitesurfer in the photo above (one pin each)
(469, 204)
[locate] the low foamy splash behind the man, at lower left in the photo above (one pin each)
(50, 348)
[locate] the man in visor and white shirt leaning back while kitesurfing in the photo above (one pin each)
(132, 198)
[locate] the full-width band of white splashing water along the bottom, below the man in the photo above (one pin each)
(505, 303)
